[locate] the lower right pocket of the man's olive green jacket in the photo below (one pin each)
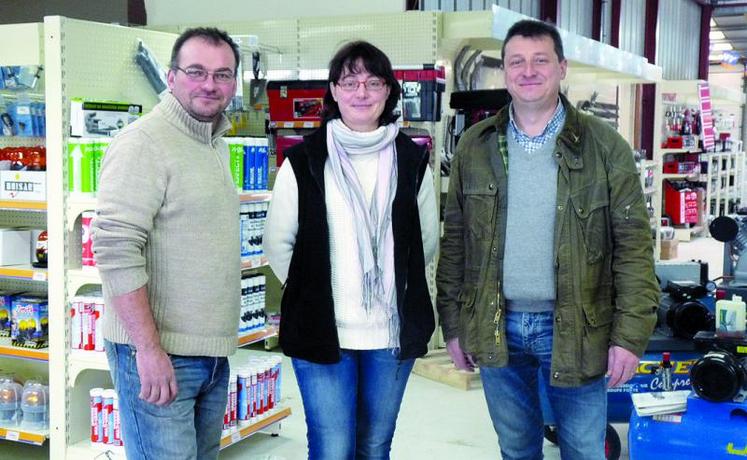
(595, 339)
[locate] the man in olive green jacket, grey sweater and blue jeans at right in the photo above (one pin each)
(556, 276)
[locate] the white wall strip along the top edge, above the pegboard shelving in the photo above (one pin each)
(173, 12)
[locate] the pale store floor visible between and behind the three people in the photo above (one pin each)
(437, 422)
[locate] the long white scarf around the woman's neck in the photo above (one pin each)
(373, 224)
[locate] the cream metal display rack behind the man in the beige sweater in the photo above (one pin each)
(68, 62)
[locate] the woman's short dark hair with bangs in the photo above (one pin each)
(356, 57)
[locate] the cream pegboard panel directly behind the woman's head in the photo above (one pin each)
(408, 39)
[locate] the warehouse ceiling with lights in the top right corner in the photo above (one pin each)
(728, 29)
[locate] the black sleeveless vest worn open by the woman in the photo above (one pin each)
(307, 324)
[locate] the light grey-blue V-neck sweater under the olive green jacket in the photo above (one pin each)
(528, 265)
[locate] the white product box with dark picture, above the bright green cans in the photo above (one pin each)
(100, 118)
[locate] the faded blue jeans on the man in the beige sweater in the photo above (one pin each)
(188, 428)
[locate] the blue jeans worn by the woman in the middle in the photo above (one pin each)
(351, 407)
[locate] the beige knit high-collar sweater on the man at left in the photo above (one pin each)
(167, 217)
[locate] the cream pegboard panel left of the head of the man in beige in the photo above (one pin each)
(98, 62)
